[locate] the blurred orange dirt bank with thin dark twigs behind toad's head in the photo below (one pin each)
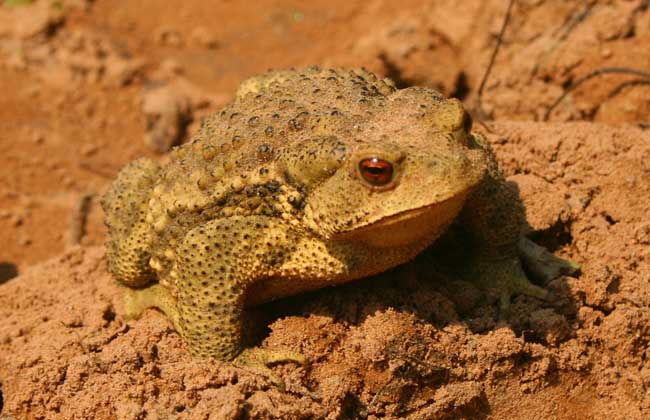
(547, 47)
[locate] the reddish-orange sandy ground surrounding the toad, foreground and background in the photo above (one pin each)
(89, 85)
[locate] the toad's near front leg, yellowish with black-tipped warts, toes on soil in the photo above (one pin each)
(220, 261)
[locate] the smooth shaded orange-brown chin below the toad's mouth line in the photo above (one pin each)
(408, 227)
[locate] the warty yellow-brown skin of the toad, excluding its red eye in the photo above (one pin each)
(267, 200)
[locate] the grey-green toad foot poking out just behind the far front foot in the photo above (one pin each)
(541, 264)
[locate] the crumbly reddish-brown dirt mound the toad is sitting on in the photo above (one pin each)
(410, 343)
